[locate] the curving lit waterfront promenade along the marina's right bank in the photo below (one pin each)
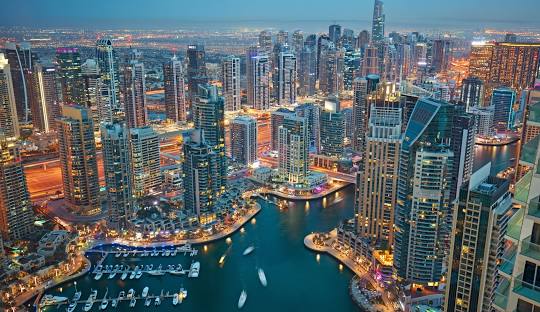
(353, 266)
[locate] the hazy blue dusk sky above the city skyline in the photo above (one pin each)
(164, 13)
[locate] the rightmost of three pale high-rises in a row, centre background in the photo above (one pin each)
(287, 79)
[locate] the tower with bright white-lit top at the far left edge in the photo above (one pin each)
(9, 122)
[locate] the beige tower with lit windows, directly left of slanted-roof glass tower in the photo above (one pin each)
(376, 186)
